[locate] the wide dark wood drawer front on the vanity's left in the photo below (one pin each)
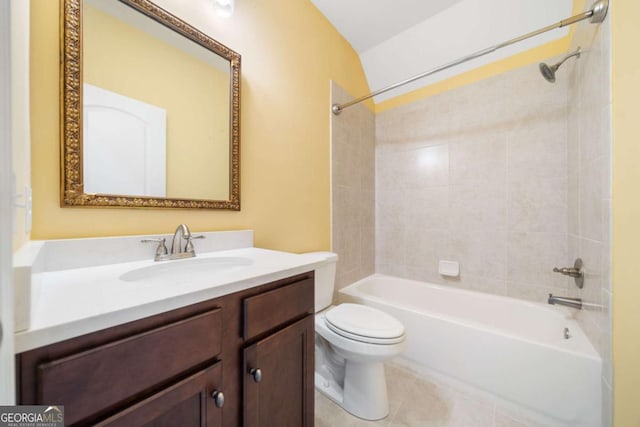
(101, 378)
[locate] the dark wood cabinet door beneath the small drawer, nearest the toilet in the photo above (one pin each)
(278, 378)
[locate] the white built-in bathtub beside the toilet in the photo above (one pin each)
(510, 348)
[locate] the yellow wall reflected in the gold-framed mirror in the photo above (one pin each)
(197, 108)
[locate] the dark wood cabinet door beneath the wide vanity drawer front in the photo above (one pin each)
(187, 403)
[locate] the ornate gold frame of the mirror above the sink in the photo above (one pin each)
(72, 187)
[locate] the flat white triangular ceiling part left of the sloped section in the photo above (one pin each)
(366, 23)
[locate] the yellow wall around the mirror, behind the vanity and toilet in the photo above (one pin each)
(289, 54)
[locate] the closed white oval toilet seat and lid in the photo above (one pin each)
(364, 324)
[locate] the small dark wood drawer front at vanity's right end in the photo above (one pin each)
(271, 309)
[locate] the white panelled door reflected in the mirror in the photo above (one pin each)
(125, 144)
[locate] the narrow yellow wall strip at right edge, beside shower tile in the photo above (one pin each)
(626, 212)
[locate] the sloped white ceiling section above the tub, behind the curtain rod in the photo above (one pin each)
(464, 28)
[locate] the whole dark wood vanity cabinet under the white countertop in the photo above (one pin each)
(189, 366)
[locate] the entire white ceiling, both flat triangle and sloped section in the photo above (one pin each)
(397, 39)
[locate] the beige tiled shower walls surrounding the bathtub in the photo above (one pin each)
(509, 176)
